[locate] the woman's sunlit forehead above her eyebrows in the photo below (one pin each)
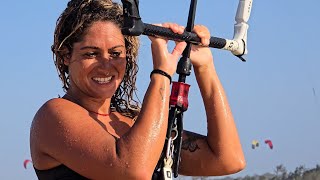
(102, 32)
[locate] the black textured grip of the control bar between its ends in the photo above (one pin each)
(153, 30)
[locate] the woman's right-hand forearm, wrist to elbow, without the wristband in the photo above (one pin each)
(222, 134)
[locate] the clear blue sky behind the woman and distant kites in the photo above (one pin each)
(274, 95)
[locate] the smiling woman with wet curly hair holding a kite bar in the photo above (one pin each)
(97, 130)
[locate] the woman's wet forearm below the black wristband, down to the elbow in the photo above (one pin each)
(146, 138)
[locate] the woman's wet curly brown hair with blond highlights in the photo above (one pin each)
(71, 26)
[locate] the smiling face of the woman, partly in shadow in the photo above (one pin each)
(98, 62)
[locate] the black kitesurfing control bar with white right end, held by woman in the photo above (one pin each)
(134, 26)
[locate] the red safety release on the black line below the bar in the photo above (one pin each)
(179, 95)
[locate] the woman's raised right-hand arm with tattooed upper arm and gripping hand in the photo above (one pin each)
(220, 152)
